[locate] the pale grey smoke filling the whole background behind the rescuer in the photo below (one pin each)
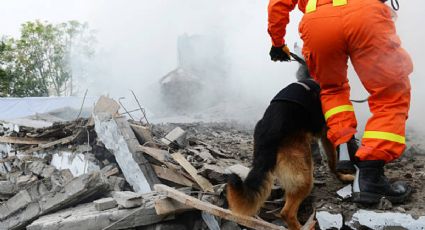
(137, 45)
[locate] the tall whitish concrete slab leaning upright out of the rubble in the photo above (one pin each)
(117, 136)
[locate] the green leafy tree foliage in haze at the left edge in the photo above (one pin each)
(39, 62)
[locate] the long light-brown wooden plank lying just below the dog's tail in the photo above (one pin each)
(247, 221)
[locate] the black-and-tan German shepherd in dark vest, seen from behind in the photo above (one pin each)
(282, 140)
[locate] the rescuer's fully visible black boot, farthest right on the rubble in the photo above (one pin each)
(371, 184)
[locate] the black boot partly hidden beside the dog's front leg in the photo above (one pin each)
(346, 153)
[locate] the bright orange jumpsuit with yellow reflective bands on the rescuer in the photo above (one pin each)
(363, 31)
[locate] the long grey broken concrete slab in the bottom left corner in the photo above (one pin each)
(37, 201)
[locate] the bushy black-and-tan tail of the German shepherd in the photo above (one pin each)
(247, 197)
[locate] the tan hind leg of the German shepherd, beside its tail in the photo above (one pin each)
(295, 172)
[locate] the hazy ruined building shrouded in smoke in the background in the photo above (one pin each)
(199, 77)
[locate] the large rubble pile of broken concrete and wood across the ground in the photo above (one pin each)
(107, 172)
